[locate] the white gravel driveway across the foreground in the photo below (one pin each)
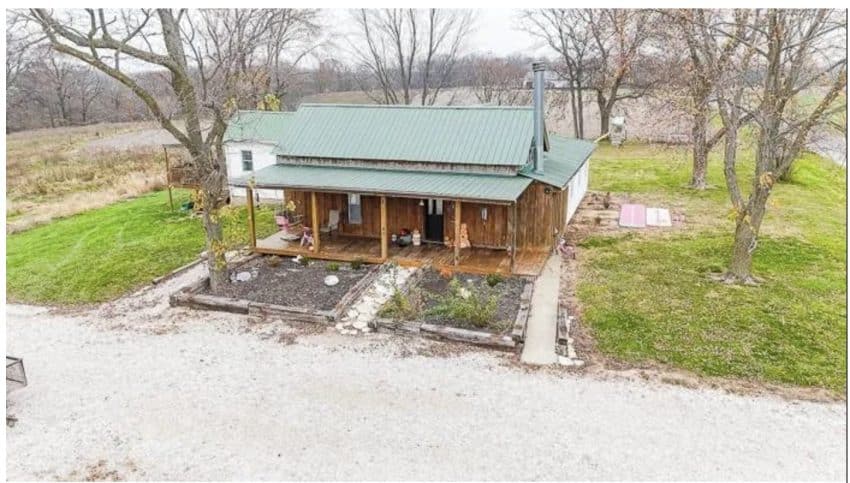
(138, 390)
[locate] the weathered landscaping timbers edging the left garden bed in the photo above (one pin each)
(191, 296)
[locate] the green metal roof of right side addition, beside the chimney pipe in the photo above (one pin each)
(563, 160)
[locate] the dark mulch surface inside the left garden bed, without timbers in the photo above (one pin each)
(292, 285)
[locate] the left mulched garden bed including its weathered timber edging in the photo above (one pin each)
(278, 286)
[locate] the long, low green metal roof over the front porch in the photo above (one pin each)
(410, 183)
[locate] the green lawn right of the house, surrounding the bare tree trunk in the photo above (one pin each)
(650, 297)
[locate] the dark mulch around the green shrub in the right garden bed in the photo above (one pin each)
(507, 294)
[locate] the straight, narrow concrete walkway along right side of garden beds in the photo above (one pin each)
(542, 320)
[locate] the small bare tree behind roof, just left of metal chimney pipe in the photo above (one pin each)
(497, 80)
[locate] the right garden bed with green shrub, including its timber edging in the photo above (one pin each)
(485, 310)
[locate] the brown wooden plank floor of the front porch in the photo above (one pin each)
(347, 248)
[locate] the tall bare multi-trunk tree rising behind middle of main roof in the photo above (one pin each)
(401, 50)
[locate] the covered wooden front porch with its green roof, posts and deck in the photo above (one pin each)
(459, 222)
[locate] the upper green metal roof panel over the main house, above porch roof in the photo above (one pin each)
(446, 134)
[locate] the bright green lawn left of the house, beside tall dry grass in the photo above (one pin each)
(103, 253)
